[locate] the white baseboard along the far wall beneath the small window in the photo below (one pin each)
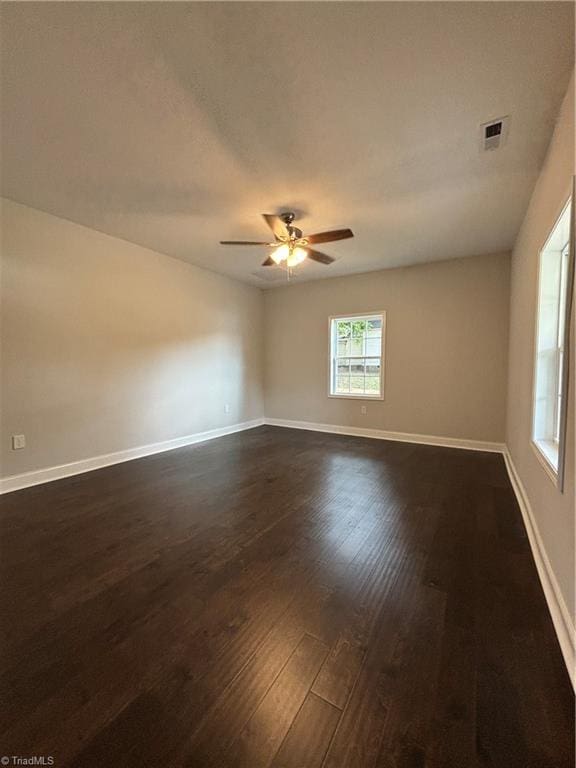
(381, 434)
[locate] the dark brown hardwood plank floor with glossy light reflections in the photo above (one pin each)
(280, 598)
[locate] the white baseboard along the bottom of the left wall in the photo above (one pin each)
(36, 477)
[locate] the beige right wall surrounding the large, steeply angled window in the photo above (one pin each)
(554, 512)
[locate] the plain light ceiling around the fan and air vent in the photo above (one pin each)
(174, 125)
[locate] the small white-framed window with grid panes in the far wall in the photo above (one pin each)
(357, 356)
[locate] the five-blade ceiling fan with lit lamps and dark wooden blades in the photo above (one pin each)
(290, 246)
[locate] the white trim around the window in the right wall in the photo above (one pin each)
(542, 448)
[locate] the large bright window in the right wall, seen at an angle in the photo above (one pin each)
(550, 371)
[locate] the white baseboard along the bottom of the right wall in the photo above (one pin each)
(561, 618)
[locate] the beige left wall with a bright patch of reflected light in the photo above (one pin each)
(108, 346)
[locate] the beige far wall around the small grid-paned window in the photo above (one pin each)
(446, 348)
